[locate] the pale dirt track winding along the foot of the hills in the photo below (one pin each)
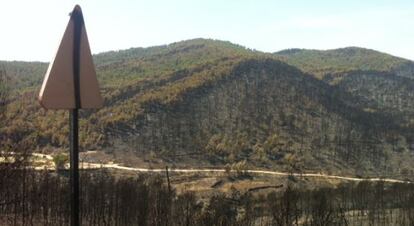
(208, 170)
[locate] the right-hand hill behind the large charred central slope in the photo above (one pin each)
(382, 83)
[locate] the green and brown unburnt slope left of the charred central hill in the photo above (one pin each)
(144, 74)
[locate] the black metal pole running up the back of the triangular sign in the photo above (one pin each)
(77, 18)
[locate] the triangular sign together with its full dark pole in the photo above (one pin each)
(70, 83)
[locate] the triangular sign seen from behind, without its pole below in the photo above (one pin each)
(70, 81)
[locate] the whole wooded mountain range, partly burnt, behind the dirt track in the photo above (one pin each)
(212, 102)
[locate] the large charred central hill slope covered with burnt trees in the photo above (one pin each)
(269, 113)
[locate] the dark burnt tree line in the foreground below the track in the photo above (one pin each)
(29, 197)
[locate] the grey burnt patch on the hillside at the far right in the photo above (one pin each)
(382, 92)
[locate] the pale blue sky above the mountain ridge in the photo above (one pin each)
(31, 30)
